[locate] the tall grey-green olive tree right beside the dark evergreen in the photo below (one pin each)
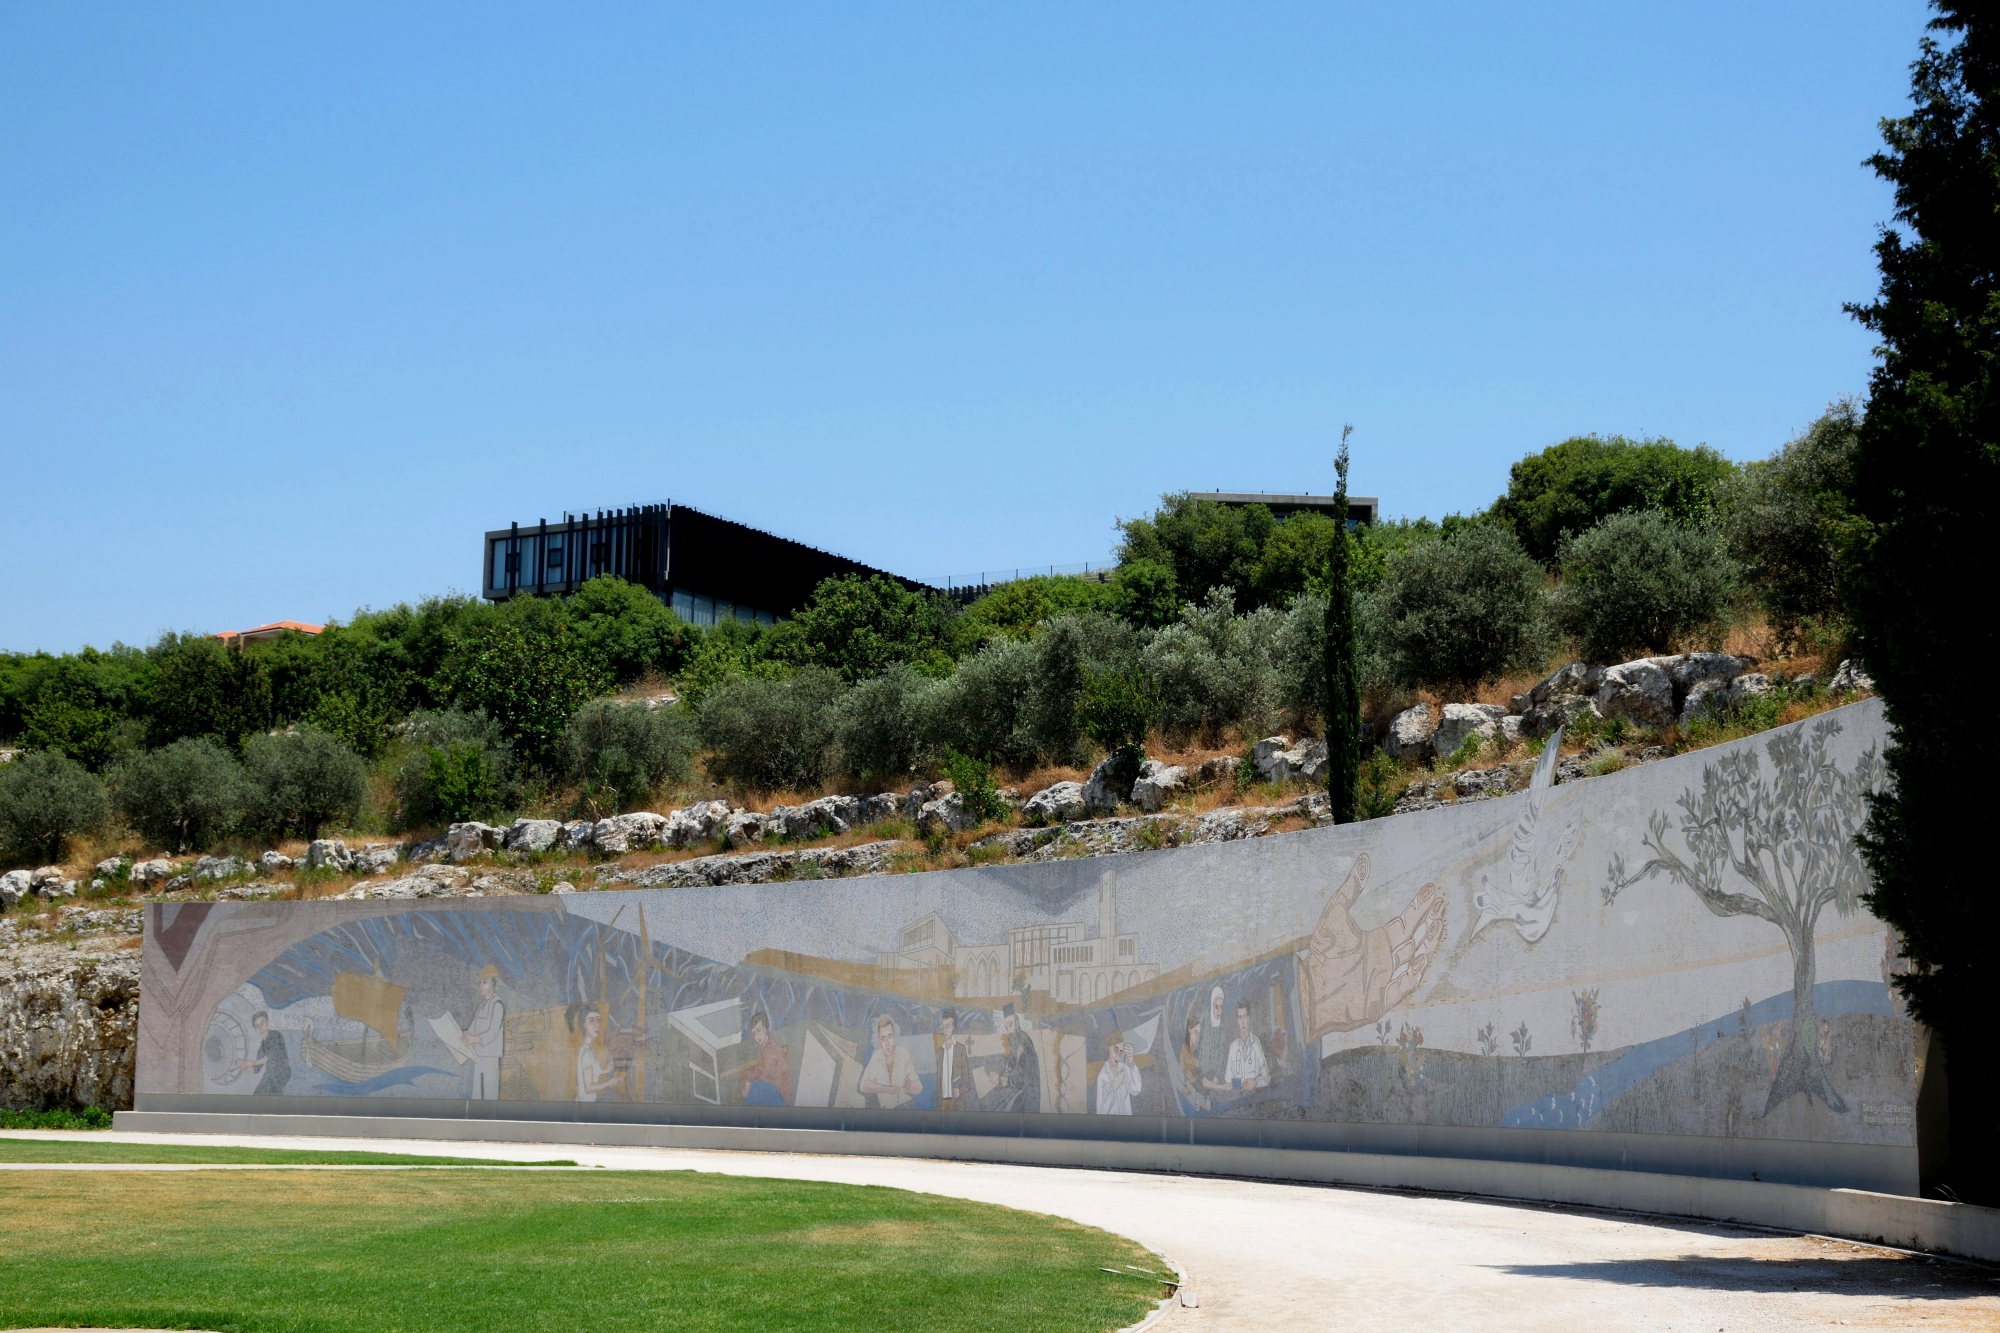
(1789, 521)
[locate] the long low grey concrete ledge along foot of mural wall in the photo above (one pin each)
(1885, 1220)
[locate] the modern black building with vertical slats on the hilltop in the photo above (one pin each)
(707, 569)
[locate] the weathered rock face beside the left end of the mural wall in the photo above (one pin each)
(67, 1028)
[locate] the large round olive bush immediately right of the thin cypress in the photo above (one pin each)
(1457, 611)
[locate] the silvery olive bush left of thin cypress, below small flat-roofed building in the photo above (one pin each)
(1215, 670)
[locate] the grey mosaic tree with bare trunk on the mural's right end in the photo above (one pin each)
(1781, 852)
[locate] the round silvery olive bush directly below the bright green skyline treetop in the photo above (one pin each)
(1641, 583)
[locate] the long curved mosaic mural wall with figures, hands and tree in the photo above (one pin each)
(1669, 950)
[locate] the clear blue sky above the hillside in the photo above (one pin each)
(297, 301)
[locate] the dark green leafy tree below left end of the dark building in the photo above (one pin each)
(527, 674)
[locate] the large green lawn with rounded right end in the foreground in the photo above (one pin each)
(525, 1252)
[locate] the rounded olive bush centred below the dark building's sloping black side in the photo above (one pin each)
(773, 734)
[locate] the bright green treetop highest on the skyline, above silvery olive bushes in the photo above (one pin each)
(1575, 485)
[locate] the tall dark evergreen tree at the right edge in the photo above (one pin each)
(1927, 479)
